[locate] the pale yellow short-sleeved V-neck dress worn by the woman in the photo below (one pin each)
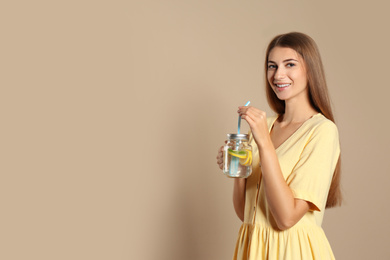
(308, 159)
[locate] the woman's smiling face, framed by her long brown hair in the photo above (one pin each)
(286, 74)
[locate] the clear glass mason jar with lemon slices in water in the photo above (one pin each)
(237, 156)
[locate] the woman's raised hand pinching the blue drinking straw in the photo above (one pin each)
(257, 120)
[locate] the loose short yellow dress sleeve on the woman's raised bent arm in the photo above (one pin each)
(311, 177)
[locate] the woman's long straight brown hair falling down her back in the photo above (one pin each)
(318, 92)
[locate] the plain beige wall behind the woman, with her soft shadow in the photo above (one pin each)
(112, 112)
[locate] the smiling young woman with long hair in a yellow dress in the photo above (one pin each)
(296, 165)
